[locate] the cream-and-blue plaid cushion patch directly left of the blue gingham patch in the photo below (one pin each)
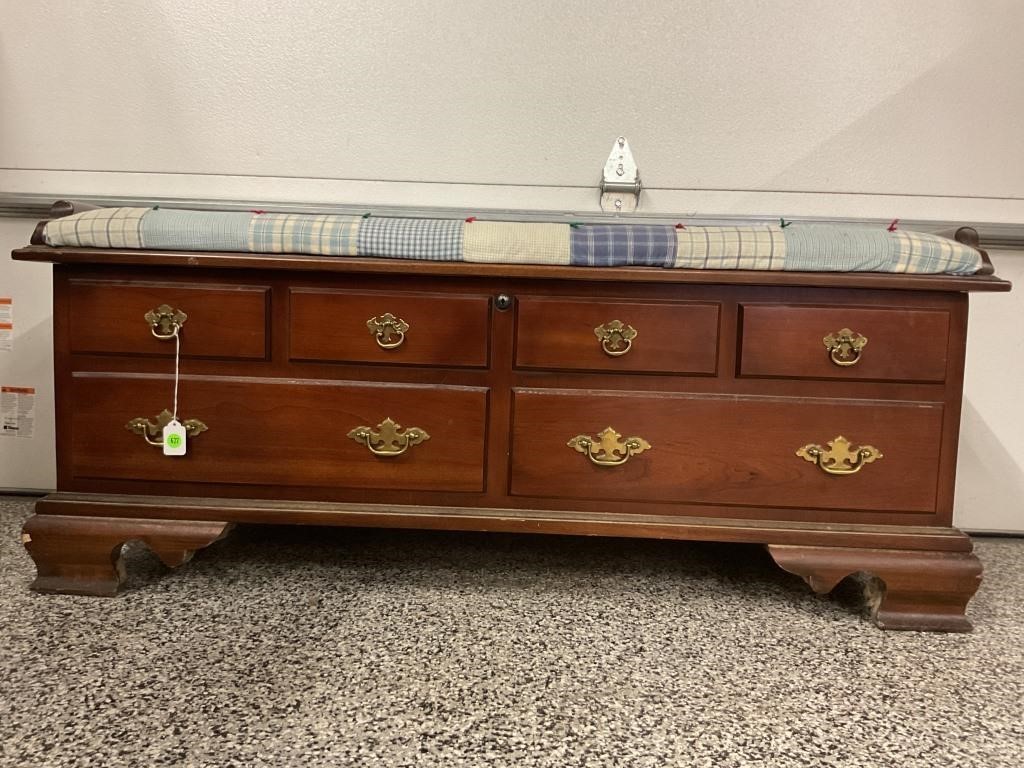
(322, 236)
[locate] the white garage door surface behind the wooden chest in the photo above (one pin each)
(910, 109)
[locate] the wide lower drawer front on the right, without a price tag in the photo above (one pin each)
(743, 451)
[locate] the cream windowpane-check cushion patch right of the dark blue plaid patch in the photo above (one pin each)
(731, 248)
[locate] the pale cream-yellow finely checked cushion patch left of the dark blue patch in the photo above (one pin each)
(508, 243)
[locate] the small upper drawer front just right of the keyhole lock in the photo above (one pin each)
(670, 338)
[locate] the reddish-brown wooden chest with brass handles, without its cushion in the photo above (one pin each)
(514, 399)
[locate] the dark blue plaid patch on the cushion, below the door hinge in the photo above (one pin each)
(623, 245)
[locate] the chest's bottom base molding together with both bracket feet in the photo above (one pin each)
(923, 577)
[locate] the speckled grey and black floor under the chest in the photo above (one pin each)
(346, 648)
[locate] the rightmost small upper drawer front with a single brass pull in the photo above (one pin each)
(789, 342)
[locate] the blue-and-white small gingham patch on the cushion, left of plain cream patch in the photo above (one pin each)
(435, 240)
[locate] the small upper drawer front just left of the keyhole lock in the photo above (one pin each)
(436, 330)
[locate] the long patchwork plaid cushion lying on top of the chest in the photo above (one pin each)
(798, 248)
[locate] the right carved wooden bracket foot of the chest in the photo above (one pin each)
(921, 590)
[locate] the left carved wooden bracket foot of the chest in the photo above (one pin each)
(82, 556)
